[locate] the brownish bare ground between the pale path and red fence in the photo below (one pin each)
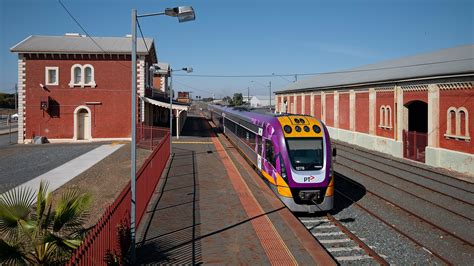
(105, 180)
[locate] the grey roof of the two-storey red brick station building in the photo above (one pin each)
(75, 43)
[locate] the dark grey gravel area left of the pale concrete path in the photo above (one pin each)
(21, 163)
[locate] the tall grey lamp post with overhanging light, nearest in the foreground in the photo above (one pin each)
(184, 13)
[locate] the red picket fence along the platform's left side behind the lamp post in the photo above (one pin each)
(110, 237)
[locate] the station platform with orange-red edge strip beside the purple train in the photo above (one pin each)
(211, 207)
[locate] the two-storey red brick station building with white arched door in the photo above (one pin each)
(75, 87)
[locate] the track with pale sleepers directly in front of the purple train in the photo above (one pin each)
(340, 242)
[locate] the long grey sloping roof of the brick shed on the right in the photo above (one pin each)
(446, 62)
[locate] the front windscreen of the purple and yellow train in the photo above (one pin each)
(305, 154)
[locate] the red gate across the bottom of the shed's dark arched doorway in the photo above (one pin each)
(414, 145)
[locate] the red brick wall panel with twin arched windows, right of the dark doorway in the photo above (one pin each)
(456, 98)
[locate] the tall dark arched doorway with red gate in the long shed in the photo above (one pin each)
(415, 134)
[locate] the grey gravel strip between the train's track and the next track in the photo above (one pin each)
(395, 248)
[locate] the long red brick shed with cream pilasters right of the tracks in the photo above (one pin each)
(419, 107)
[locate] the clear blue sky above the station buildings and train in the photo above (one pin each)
(250, 38)
